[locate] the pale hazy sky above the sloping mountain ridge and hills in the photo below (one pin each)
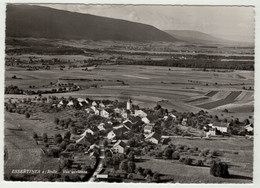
(234, 23)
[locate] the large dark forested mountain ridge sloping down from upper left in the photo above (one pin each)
(43, 22)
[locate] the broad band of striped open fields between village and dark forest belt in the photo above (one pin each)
(183, 88)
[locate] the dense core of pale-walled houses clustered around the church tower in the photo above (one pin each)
(127, 119)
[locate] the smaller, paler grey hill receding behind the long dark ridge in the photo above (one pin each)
(194, 36)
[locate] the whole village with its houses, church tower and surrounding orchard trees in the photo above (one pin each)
(105, 139)
